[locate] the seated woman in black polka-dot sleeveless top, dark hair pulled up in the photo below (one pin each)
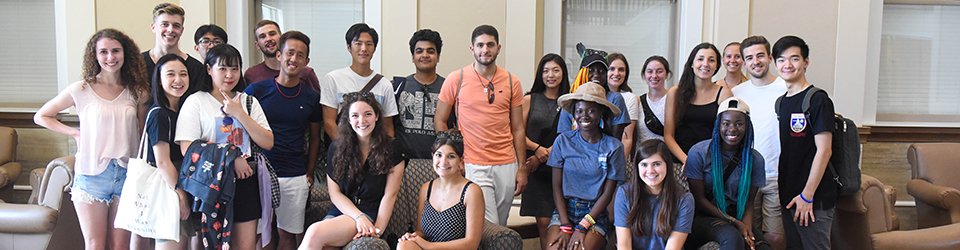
(450, 208)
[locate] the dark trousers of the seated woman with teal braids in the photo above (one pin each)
(707, 228)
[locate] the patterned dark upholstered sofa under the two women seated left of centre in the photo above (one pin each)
(417, 172)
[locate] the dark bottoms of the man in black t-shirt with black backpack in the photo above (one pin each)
(816, 235)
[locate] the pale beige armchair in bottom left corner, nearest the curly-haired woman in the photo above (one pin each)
(49, 220)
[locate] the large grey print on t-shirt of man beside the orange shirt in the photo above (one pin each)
(417, 111)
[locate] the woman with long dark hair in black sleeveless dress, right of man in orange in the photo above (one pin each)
(541, 111)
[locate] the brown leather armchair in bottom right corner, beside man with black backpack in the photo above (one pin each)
(866, 220)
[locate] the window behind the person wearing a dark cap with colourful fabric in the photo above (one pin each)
(638, 29)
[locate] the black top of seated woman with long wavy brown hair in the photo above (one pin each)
(367, 193)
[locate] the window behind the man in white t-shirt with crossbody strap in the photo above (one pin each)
(324, 21)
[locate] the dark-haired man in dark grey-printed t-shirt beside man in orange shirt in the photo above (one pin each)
(417, 100)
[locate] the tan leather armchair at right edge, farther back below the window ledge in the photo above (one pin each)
(935, 182)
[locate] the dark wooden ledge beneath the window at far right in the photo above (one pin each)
(909, 134)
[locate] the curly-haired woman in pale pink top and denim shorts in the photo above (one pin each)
(109, 103)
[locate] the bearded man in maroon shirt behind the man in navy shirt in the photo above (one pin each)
(267, 34)
